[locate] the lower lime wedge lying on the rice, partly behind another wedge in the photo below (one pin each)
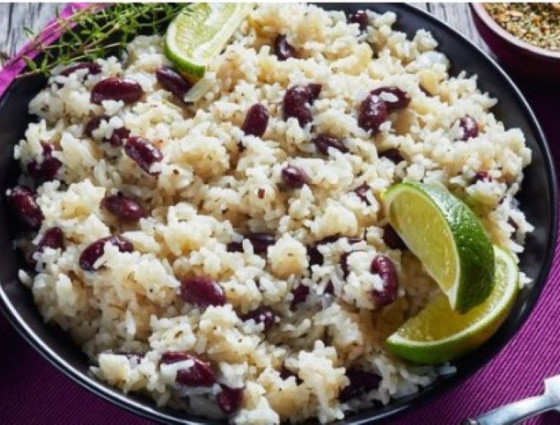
(438, 334)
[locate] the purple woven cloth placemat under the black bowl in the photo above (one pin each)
(32, 392)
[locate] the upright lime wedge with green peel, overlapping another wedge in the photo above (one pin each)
(447, 238)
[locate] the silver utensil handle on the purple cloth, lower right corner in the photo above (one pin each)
(523, 409)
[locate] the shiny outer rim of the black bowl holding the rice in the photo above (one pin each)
(444, 383)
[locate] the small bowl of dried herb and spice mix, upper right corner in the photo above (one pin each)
(525, 37)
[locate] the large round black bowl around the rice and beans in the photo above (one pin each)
(538, 200)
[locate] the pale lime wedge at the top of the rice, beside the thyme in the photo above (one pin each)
(200, 31)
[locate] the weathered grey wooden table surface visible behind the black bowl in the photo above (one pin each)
(15, 17)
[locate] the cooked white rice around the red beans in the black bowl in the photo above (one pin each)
(207, 195)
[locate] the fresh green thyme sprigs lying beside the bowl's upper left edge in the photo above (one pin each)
(96, 31)
